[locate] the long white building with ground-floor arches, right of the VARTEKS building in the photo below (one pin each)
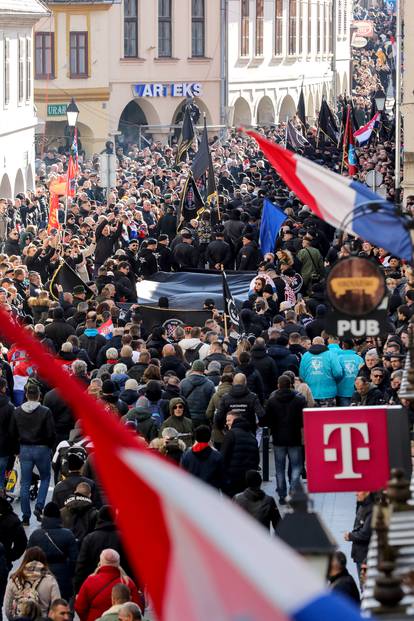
(275, 46)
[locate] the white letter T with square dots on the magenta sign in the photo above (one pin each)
(330, 454)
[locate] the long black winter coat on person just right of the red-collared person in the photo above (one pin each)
(240, 453)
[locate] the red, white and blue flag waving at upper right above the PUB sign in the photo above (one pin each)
(340, 201)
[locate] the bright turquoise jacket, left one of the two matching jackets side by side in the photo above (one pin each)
(321, 370)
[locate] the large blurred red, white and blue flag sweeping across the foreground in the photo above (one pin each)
(202, 558)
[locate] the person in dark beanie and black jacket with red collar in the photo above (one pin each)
(203, 461)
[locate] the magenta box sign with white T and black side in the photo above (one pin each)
(353, 449)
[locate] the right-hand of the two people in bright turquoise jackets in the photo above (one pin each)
(351, 362)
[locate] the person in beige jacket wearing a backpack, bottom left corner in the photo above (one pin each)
(33, 581)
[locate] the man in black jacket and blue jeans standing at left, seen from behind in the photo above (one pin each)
(33, 427)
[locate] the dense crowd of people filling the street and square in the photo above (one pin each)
(195, 395)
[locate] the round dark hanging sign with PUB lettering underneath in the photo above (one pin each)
(356, 290)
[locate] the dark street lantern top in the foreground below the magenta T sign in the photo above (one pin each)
(304, 531)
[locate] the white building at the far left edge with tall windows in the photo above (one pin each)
(17, 117)
